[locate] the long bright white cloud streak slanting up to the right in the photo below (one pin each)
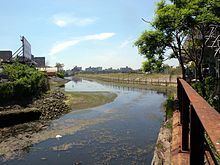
(66, 44)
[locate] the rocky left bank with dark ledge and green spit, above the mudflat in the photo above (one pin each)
(53, 104)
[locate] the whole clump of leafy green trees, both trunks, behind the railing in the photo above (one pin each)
(180, 26)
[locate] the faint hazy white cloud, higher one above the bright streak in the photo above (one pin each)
(63, 20)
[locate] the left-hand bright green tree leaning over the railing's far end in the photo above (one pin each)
(168, 33)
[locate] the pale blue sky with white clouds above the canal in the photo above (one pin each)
(78, 32)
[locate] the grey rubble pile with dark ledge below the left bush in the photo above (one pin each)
(49, 106)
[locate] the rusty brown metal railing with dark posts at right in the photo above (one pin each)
(200, 125)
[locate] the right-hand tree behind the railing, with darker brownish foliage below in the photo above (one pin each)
(202, 13)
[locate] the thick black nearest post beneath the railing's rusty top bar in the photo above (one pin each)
(196, 139)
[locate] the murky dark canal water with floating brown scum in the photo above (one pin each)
(122, 132)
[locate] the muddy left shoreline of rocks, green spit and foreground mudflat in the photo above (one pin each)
(52, 105)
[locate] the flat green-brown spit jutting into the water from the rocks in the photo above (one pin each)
(84, 100)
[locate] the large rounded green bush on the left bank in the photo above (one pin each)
(23, 84)
